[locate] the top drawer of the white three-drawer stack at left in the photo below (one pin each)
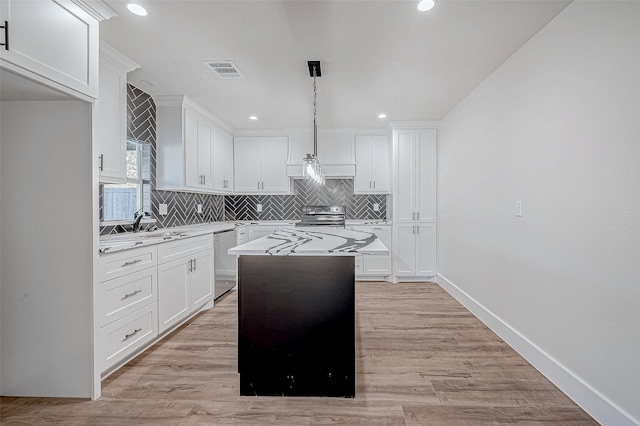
(115, 265)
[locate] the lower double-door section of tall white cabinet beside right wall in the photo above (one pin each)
(414, 250)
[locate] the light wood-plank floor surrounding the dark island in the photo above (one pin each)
(422, 359)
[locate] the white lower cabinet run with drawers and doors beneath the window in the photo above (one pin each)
(143, 292)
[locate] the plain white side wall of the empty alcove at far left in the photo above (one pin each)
(47, 245)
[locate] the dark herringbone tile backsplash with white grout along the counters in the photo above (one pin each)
(182, 206)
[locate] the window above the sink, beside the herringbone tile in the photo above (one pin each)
(122, 201)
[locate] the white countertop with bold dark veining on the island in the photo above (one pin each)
(316, 241)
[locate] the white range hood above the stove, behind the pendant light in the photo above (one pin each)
(336, 152)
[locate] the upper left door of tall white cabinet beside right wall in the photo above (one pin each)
(405, 188)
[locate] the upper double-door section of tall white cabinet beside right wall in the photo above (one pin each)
(415, 189)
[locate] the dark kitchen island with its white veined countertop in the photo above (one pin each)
(297, 311)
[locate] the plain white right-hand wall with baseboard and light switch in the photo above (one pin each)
(557, 126)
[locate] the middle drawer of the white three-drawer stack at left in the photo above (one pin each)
(121, 296)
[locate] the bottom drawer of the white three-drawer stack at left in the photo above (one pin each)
(122, 338)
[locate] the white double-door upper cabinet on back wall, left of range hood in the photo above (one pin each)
(260, 165)
